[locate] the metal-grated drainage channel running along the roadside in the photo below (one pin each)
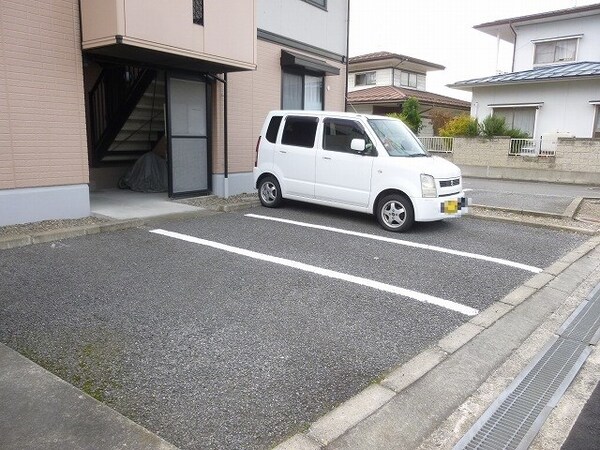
(516, 416)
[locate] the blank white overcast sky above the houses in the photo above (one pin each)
(441, 32)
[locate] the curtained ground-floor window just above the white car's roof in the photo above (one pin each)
(302, 91)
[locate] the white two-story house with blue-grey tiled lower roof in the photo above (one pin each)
(554, 86)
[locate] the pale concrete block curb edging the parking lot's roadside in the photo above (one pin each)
(369, 402)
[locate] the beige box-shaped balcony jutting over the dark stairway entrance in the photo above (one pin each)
(203, 36)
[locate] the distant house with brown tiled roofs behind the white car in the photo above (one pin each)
(379, 83)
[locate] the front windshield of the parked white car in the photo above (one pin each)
(397, 138)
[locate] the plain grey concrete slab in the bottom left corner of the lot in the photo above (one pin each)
(41, 411)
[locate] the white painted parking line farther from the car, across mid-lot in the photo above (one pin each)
(418, 296)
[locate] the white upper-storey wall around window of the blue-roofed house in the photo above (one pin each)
(588, 50)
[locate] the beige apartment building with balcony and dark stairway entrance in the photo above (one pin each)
(88, 86)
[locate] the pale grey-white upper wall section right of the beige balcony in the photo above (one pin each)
(322, 29)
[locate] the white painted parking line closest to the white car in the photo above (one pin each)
(434, 248)
